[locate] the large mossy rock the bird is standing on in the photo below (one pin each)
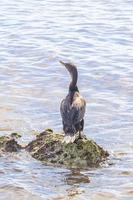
(83, 153)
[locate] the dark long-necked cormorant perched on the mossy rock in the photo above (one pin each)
(72, 108)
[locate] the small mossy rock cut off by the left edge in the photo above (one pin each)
(9, 144)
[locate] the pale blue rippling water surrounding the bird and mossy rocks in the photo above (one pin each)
(97, 35)
